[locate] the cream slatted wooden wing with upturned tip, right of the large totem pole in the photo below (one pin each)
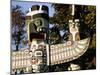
(68, 51)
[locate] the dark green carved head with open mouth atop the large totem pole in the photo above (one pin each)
(37, 22)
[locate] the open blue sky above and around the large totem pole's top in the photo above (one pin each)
(25, 5)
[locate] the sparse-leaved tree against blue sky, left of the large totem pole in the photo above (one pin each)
(18, 27)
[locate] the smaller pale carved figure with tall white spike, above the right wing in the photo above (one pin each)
(73, 27)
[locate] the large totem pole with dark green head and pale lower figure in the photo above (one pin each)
(37, 23)
